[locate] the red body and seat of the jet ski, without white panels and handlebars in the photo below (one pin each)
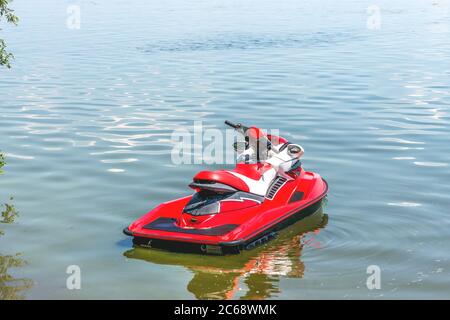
(230, 218)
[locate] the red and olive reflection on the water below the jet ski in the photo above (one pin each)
(258, 271)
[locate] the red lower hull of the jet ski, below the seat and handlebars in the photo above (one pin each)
(228, 232)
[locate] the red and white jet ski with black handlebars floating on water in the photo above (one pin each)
(234, 210)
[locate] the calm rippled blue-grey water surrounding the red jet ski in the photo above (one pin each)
(86, 117)
